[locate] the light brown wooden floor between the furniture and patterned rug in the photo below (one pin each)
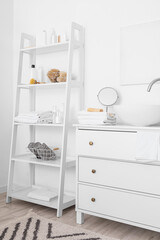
(108, 228)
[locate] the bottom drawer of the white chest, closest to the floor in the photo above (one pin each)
(119, 204)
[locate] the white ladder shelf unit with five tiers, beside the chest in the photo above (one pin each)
(63, 200)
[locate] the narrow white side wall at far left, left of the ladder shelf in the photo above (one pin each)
(6, 73)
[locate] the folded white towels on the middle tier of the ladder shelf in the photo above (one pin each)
(35, 117)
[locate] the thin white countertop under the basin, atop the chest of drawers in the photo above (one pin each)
(116, 127)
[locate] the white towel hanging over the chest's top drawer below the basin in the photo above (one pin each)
(147, 146)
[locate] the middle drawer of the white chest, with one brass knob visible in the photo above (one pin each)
(132, 176)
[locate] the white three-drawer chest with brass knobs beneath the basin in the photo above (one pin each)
(110, 182)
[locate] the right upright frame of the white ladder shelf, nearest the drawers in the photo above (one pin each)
(80, 29)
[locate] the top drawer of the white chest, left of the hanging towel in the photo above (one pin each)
(107, 144)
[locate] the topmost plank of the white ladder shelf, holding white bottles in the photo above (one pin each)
(49, 48)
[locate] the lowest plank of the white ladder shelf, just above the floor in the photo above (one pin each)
(21, 194)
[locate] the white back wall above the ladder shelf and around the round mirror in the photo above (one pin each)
(102, 20)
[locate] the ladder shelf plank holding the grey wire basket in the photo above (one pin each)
(29, 158)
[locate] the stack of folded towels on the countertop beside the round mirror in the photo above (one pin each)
(85, 117)
